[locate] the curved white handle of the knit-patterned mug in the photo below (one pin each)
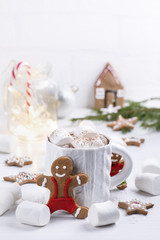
(127, 168)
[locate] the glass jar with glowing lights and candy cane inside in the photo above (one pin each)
(30, 101)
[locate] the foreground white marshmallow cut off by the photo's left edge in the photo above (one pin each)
(8, 197)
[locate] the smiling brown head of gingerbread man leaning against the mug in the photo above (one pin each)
(62, 168)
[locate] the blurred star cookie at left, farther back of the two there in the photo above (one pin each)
(18, 161)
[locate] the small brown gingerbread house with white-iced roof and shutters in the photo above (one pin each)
(108, 89)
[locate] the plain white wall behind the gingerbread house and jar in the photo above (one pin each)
(80, 36)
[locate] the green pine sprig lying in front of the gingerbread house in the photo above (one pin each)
(149, 117)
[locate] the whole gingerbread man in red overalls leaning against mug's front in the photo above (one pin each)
(61, 185)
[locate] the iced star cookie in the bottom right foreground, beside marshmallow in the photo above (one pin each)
(135, 206)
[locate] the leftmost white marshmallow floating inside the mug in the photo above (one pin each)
(60, 137)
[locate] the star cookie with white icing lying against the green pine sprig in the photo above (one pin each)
(122, 123)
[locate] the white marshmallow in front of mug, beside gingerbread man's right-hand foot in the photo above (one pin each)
(101, 214)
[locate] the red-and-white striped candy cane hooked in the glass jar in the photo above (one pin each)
(15, 71)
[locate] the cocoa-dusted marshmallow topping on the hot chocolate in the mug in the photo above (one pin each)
(78, 138)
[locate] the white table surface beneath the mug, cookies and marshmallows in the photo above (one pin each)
(65, 226)
